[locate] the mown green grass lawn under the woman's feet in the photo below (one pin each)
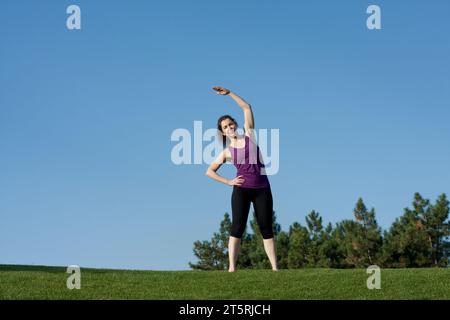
(37, 282)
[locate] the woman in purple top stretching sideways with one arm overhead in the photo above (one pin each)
(250, 185)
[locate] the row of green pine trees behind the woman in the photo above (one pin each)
(418, 238)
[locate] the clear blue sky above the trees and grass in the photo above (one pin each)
(86, 117)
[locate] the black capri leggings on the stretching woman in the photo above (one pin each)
(240, 206)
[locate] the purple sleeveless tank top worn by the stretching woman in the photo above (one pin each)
(248, 162)
